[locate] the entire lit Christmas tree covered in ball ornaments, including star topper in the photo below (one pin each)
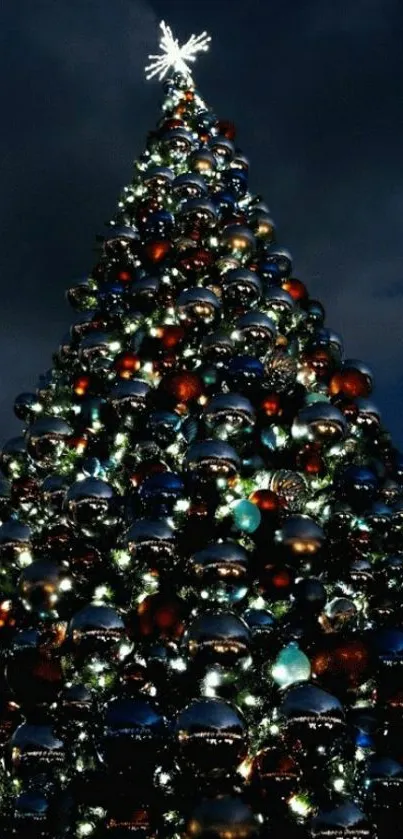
(201, 534)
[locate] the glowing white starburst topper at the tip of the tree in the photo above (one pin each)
(173, 55)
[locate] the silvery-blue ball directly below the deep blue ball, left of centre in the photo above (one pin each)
(151, 543)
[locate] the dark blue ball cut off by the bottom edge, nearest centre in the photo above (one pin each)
(221, 818)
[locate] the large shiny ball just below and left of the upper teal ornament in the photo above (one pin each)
(220, 572)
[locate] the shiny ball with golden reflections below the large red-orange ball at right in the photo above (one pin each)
(320, 422)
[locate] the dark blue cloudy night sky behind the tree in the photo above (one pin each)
(315, 88)
